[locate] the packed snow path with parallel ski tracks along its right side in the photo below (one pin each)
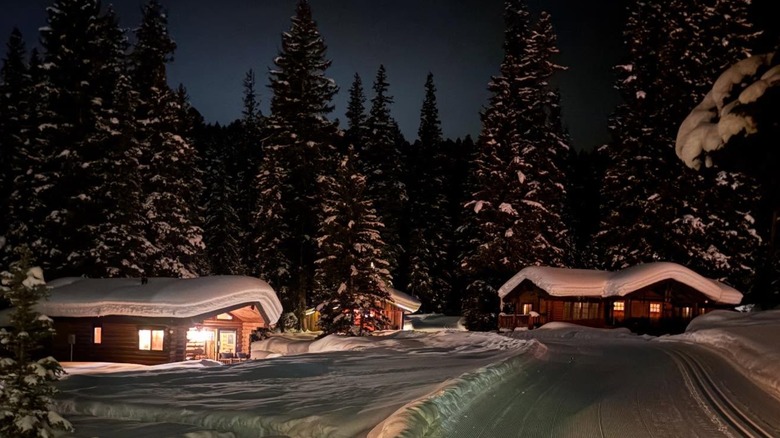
(621, 388)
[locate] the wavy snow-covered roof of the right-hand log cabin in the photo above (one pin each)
(564, 282)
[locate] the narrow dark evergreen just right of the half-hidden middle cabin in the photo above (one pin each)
(430, 223)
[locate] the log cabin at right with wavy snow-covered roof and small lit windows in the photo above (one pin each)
(656, 298)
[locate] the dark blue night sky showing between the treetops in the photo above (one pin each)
(458, 41)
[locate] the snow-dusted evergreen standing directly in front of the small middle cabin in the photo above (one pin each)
(352, 276)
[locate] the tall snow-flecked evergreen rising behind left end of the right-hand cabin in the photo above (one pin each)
(516, 216)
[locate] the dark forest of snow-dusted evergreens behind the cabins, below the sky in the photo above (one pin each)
(108, 171)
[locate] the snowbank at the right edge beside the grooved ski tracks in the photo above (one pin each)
(749, 340)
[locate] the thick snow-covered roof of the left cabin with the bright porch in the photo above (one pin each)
(159, 297)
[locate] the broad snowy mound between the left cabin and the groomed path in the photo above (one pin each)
(346, 389)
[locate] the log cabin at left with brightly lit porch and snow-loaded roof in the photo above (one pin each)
(157, 320)
